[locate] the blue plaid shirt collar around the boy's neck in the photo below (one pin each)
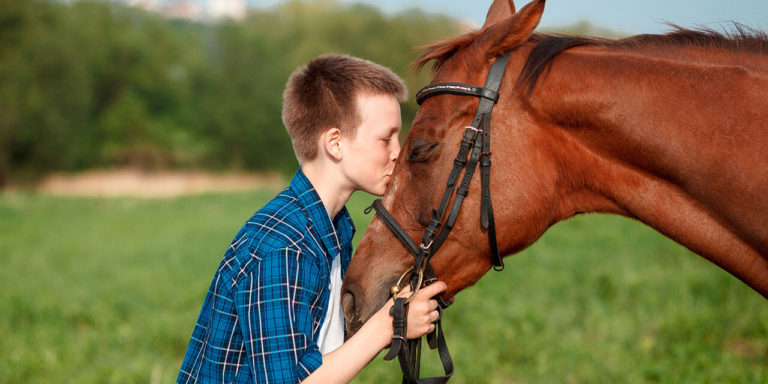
(334, 234)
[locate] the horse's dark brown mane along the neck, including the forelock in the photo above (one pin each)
(547, 46)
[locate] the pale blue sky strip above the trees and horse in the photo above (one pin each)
(635, 16)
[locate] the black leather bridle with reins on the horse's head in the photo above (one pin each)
(475, 148)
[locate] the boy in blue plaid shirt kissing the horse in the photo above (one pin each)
(273, 311)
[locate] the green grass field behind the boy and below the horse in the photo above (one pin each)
(108, 291)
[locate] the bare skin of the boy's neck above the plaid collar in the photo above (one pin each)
(329, 184)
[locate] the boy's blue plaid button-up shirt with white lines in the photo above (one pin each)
(266, 304)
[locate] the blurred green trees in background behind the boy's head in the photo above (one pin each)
(95, 84)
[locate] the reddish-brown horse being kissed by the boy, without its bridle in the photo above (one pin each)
(671, 130)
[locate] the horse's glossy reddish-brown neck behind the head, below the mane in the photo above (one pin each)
(676, 143)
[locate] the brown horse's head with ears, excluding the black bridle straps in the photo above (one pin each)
(426, 159)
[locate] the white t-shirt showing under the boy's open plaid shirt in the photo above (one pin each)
(332, 331)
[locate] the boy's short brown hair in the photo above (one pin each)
(322, 94)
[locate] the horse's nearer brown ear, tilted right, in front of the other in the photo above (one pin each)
(512, 31)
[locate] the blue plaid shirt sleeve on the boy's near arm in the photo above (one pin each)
(273, 304)
